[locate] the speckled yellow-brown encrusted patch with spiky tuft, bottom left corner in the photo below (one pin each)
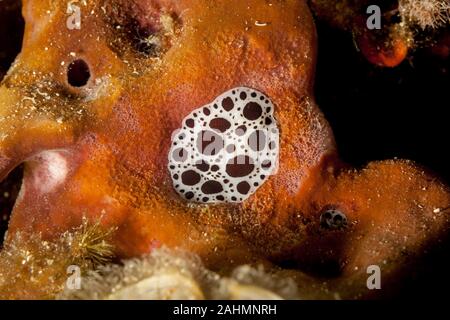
(31, 267)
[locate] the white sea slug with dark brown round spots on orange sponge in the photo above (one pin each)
(225, 150)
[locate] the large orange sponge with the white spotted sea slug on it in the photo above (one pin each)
(103, 112)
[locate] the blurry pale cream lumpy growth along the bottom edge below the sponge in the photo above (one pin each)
(177, 274)
